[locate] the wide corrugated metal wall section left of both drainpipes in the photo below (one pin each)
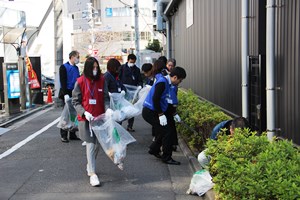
(210, 50)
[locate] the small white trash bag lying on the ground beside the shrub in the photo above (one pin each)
(200, 183)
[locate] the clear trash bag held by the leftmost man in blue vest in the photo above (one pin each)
(68, 118)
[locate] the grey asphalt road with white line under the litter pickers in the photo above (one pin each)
(35, 164)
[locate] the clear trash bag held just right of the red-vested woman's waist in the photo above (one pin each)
(122, 108)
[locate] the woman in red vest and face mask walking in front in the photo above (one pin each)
(90, 99)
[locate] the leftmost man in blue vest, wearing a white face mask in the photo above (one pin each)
(68, 73)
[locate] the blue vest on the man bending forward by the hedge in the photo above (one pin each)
(148, 103)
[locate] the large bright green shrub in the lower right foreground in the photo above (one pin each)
(247, 166)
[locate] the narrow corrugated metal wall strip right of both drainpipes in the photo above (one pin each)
(287, 64)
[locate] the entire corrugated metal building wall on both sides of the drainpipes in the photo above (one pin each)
(210, 51)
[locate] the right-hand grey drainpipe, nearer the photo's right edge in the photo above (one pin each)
(270, 68)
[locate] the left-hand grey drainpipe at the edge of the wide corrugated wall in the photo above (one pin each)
(245, 53)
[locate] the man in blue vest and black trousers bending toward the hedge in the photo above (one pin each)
(154, 108)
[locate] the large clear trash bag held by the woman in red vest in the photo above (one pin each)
(112, 137)
